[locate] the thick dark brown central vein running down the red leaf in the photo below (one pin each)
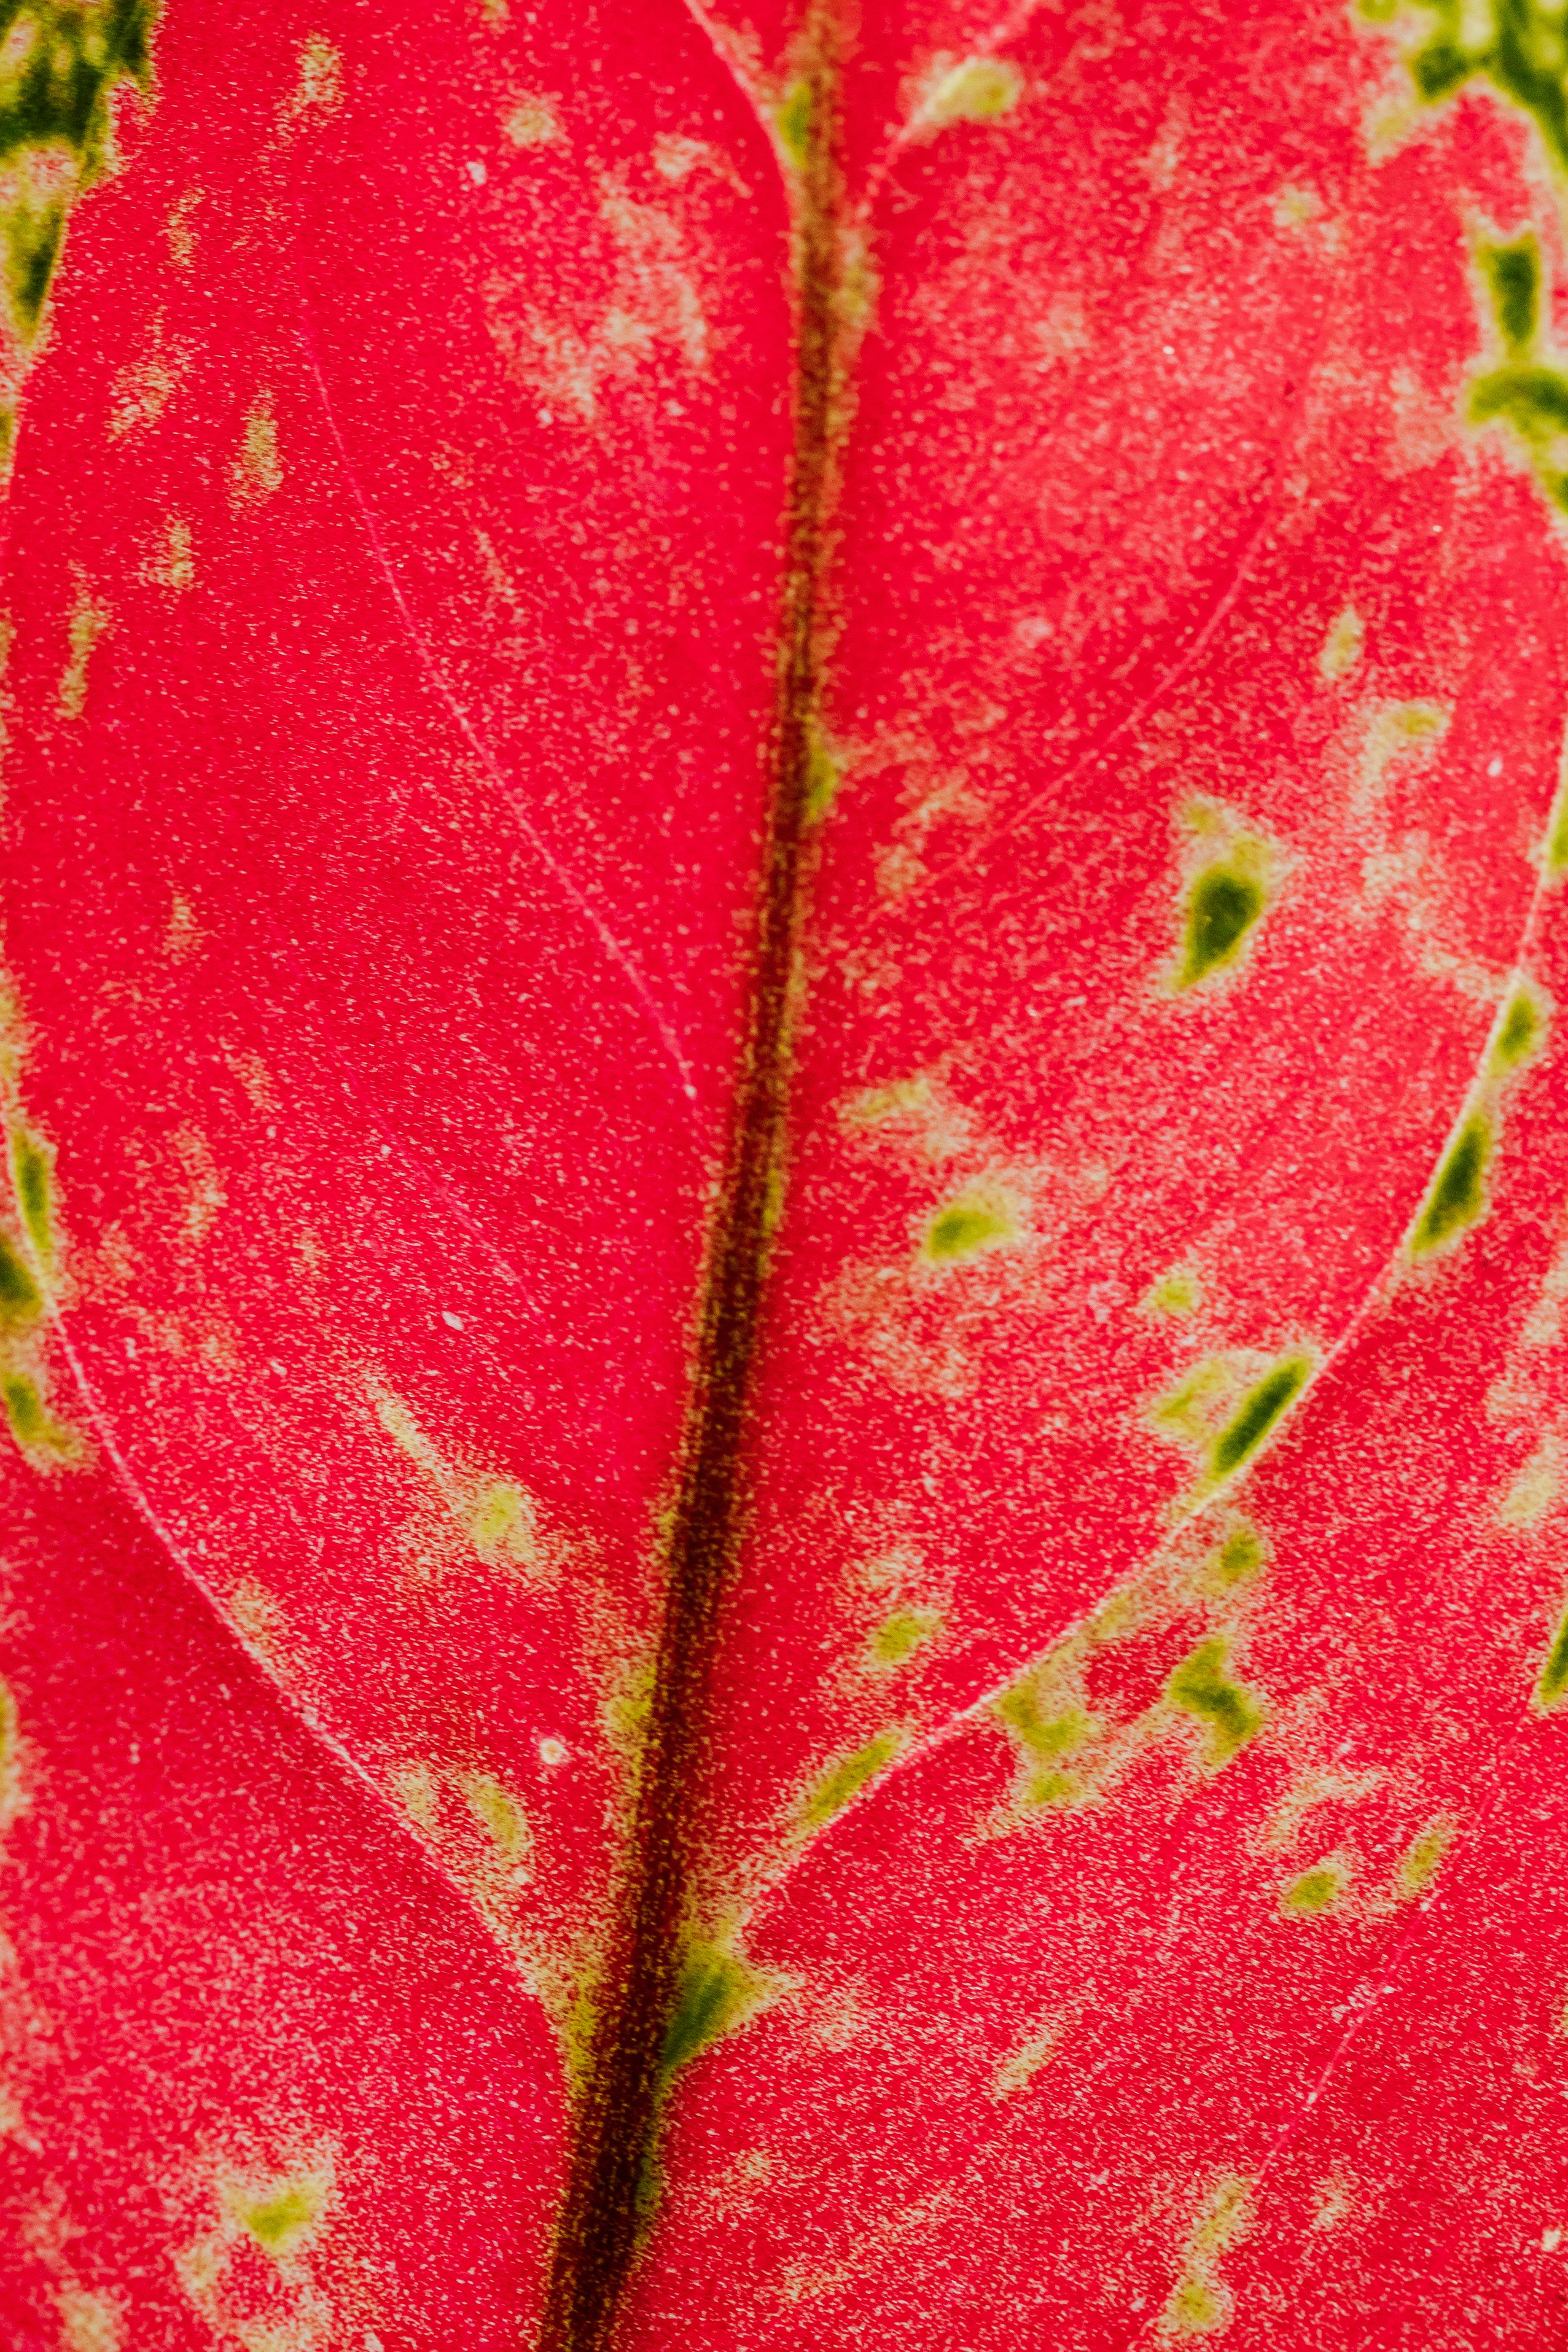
(605, 2203)
